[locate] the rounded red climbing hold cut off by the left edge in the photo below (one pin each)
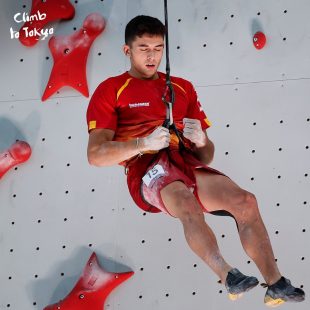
(18, 153)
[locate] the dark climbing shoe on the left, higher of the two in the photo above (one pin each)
(237, 283)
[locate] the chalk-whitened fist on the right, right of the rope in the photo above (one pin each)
(193, 132)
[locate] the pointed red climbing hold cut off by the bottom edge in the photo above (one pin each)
(92, 289)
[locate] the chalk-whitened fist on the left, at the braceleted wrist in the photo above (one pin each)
(156, 141)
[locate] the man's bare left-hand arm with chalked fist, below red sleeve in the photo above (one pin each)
(102, 151)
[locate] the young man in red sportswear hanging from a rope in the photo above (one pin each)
(125, 118)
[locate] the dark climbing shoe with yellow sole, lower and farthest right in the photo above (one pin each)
(282, 291)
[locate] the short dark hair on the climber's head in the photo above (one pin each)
(142, 24)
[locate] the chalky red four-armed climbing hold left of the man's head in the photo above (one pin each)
(70, 56)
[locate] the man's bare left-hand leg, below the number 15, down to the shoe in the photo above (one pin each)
(182, 204)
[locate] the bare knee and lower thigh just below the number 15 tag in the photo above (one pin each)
(183, 204)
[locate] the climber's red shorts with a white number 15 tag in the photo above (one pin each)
(150, 173)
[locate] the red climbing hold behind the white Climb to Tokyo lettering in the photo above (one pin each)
(43, 12)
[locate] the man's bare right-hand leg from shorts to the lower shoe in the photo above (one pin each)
(217, 192)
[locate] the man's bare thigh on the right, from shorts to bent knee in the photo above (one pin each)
(217, 192)
